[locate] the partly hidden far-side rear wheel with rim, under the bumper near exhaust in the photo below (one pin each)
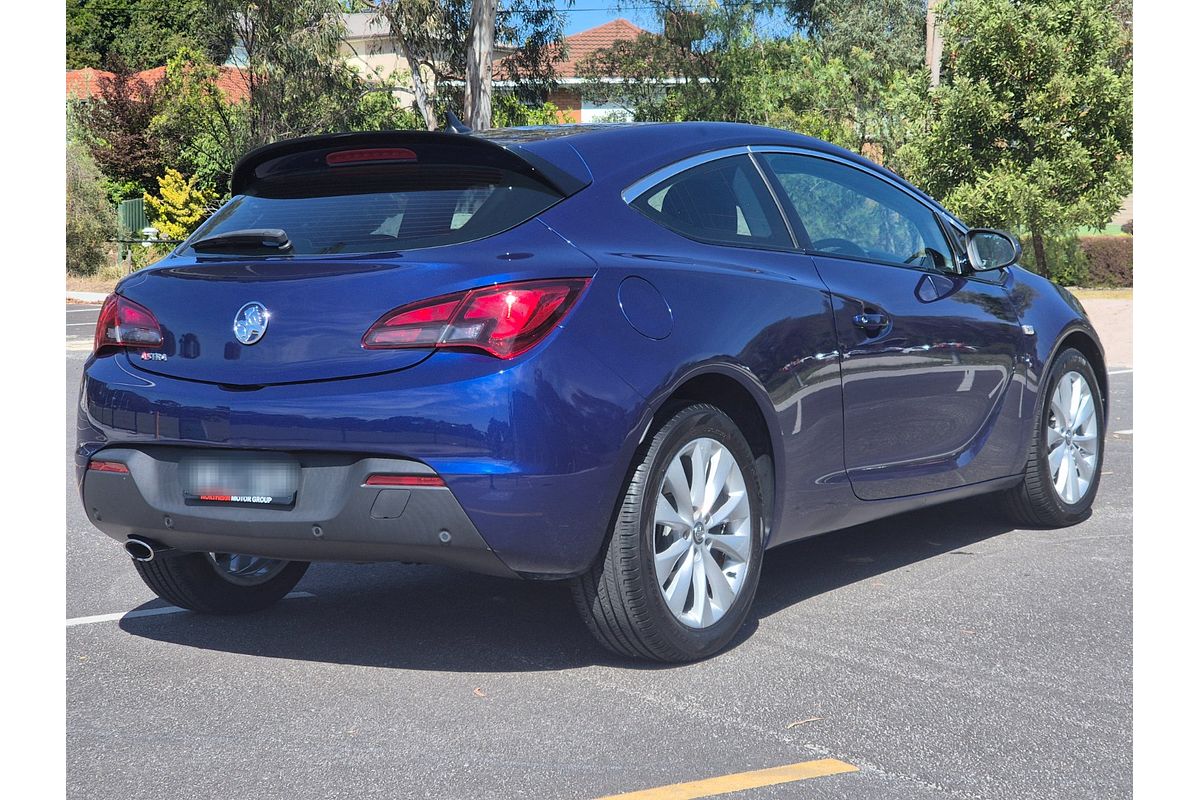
(220, 584)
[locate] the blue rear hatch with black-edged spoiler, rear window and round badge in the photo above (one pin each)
(371, 222)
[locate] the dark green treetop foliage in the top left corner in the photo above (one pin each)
(141, 34)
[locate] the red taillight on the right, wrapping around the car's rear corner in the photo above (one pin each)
(503, 321)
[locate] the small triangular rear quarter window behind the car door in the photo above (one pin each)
(724, 202)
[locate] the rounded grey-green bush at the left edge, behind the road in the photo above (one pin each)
(91, 218)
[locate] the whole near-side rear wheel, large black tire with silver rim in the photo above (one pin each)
(621, 598)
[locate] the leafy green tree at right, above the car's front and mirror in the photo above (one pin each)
(1033, 127)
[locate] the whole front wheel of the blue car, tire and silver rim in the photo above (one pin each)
(1037, 502)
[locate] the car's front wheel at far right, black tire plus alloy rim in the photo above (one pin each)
(1063, 471)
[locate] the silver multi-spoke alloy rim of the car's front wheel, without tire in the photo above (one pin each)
(1072, 447)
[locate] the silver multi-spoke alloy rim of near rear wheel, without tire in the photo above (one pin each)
(703, 533)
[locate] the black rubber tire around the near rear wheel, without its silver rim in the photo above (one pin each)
(620, 598)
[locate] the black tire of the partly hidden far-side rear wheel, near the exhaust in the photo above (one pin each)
(191, 581)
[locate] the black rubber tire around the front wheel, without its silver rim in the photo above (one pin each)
(1035, 503)
